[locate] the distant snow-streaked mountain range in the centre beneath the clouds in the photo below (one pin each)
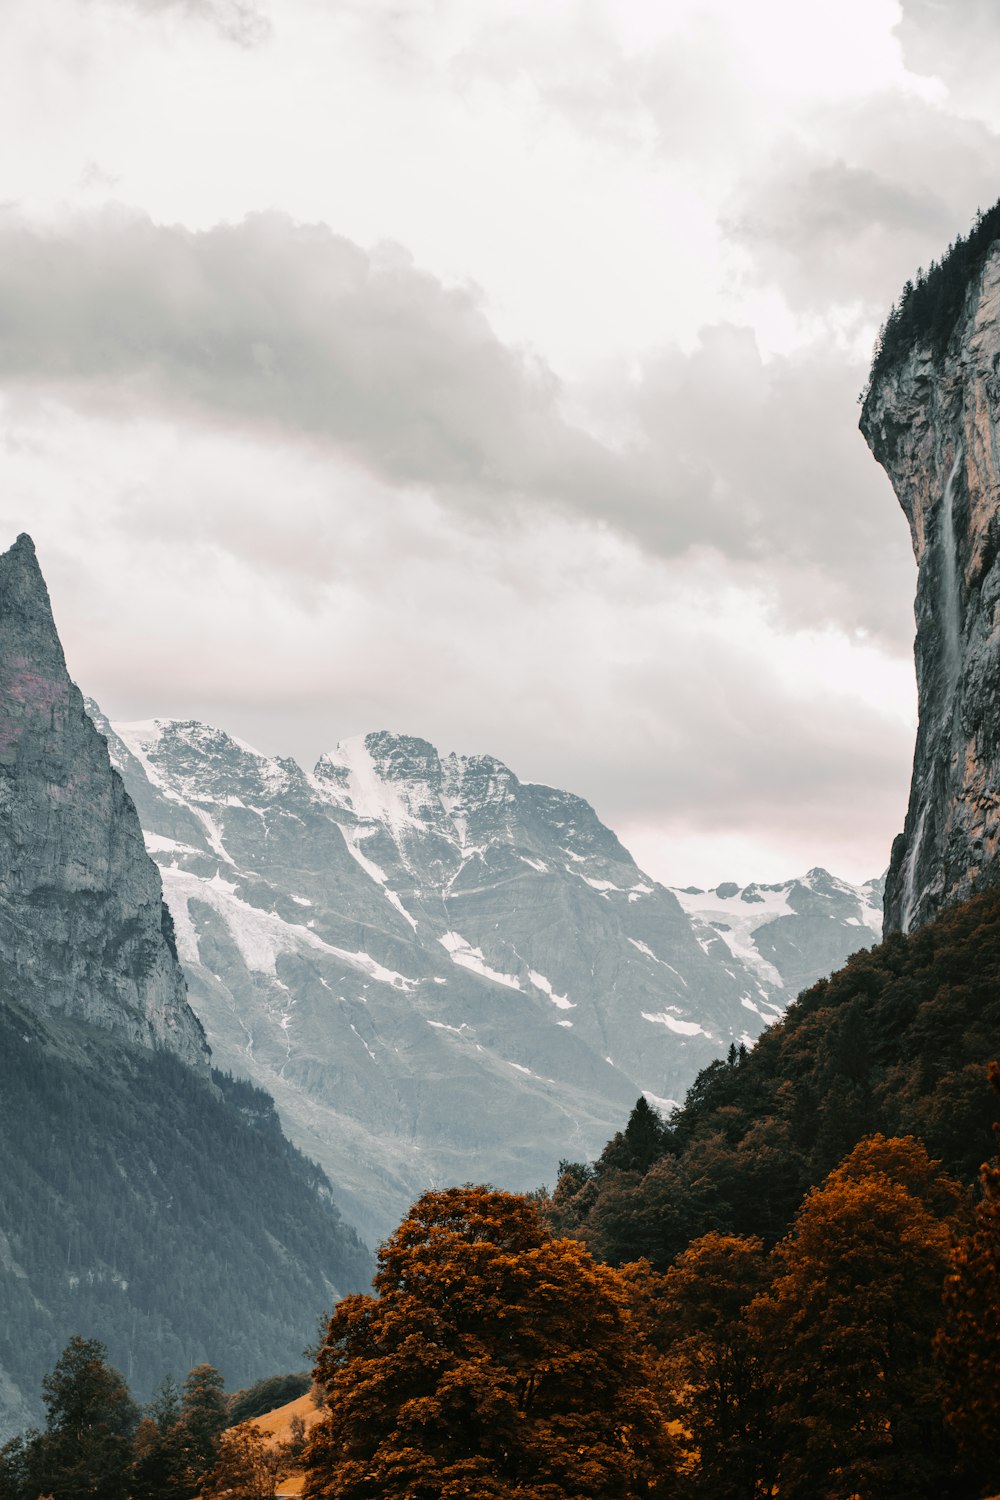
(440, 973)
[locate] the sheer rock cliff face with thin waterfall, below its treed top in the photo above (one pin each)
(932, 422)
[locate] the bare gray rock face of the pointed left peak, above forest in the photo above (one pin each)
(80, 899)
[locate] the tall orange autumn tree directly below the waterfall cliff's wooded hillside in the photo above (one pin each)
(848, 1330)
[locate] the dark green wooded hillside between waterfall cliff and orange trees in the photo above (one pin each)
(897, 1042)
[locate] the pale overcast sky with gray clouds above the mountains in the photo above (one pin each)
(488, 371)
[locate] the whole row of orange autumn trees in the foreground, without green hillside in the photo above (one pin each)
(854, 1361)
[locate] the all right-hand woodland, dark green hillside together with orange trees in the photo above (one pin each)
(792, 1288)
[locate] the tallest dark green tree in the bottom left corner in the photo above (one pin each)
(86, 1450)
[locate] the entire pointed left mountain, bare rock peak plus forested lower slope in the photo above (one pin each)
(148, 1199)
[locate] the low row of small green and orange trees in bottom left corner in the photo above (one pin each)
(190, 1444)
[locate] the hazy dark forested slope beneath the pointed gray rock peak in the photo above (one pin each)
(163, 1213)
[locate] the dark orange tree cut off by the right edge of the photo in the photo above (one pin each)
(969, 1342)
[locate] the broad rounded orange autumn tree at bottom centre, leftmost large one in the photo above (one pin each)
(494, 1361)
